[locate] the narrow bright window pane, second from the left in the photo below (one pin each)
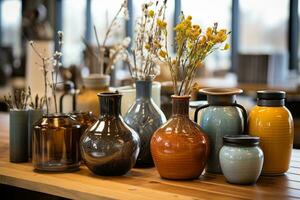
(74, 29)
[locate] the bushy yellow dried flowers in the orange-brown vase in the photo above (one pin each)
(192, 47)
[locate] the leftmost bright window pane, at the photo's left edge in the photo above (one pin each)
(11, 25)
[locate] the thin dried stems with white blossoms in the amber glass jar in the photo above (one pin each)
(50, 65)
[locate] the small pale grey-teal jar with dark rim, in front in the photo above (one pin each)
(241, 159)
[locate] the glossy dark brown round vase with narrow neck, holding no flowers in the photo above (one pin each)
(110, 146)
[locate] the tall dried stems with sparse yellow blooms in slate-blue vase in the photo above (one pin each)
(150, 28)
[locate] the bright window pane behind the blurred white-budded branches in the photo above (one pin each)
(102, 14)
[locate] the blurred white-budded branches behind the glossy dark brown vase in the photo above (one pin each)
(117, 51)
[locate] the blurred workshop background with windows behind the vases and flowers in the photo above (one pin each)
(264, 43)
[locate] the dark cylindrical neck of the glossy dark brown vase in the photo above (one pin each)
(110, 103)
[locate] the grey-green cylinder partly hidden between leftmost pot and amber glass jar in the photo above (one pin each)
(33, 116)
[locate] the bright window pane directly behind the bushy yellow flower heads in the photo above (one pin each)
(206, 13)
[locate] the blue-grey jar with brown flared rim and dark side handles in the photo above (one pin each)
(221, 116)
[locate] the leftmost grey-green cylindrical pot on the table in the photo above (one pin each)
(18, 136)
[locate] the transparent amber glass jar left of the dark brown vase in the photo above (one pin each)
(55, 143)
